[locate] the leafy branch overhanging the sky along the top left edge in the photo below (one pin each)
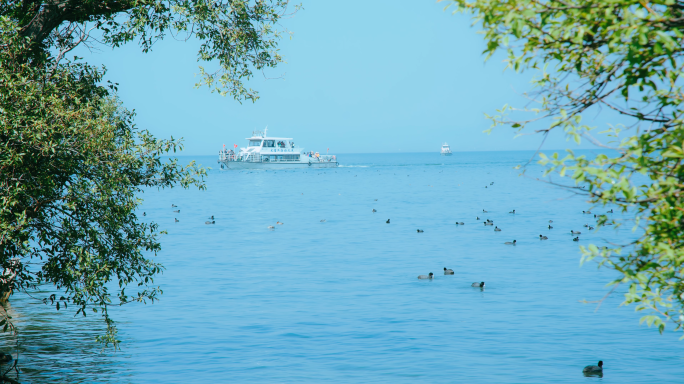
(237, 37)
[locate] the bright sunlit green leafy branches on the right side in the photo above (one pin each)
(624, 55)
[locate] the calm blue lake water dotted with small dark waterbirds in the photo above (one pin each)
(339, 301)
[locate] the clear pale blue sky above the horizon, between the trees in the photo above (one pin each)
(366, 76)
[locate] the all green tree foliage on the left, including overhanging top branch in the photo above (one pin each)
(72, 163)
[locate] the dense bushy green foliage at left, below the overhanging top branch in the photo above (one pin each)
(72, 167)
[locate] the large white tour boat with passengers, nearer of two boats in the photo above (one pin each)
(267, 152)
